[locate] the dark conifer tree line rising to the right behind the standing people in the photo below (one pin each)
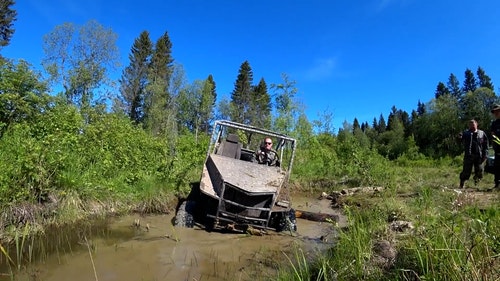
(432, 127)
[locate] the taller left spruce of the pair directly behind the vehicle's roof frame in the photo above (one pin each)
(241, 95)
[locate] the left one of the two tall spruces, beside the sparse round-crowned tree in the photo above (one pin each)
(135, 77)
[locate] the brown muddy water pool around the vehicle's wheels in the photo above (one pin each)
(158, 251)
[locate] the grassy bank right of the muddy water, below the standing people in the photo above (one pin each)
(420, 227)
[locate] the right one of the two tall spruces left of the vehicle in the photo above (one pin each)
(159, 105)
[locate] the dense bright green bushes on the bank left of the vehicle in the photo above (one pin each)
(62, 152)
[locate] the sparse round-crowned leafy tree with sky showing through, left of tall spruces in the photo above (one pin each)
(79, 58)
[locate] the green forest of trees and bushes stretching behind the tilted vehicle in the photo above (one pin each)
(68, 135)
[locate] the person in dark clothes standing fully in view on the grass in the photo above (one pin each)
(475, 144)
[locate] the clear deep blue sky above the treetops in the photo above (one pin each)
(350, 58)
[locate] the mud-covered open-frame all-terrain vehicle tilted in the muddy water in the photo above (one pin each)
(235, 192)
